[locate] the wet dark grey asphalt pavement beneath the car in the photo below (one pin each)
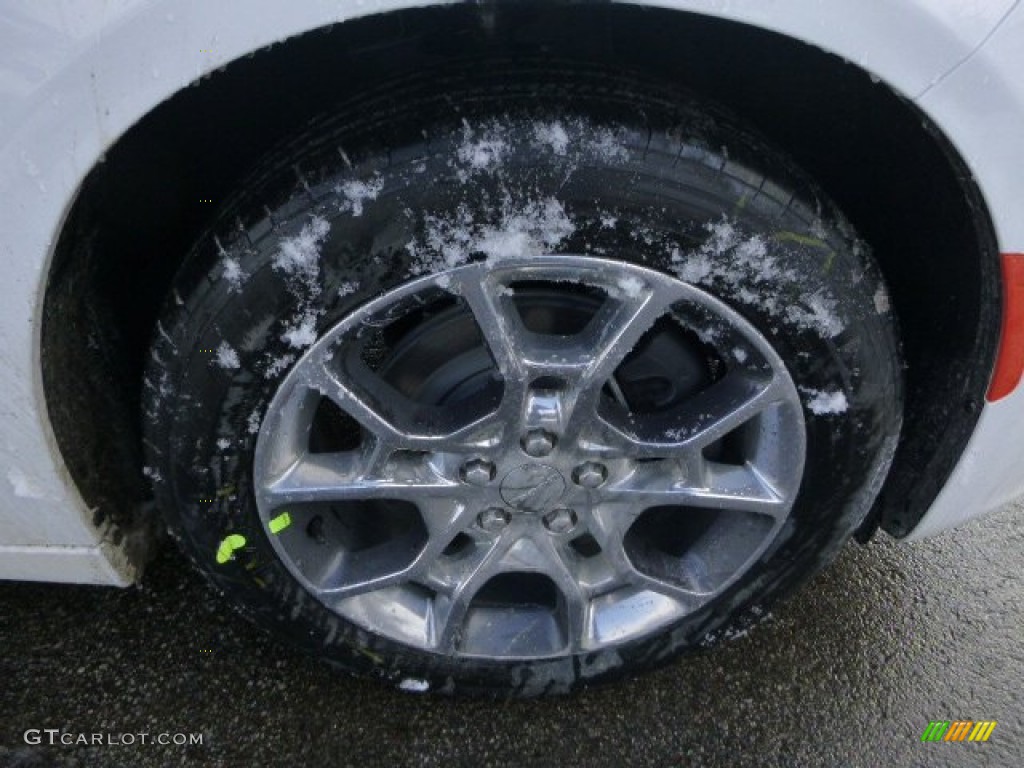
(849, 672)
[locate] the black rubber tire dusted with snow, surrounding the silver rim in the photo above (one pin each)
(646, 176)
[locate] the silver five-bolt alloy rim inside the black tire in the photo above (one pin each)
(533, 458)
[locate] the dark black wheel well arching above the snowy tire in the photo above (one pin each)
(884, 163)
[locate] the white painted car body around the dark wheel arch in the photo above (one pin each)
(75, 76)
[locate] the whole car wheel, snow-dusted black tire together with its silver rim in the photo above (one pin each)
(519, 382)
